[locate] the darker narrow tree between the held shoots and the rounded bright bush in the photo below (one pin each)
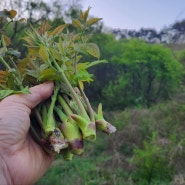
(111, 50)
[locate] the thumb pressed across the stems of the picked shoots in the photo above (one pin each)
(37, 94)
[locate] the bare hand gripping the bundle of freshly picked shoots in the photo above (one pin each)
(24, 159)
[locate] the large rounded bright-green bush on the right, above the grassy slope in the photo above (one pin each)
(146, 74)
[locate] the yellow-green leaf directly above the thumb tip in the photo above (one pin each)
(48, 74)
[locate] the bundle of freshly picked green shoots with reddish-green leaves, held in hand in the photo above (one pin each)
(62, 123)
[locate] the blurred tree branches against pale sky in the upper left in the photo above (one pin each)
(37, 11)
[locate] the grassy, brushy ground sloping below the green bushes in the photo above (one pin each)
(109, 161)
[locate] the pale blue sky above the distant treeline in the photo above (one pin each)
(137, 14)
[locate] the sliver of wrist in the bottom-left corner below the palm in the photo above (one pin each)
(5, 177)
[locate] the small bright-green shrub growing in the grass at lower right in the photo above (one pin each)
(152, 163)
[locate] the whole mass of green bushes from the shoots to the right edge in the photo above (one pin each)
(139, 73)
